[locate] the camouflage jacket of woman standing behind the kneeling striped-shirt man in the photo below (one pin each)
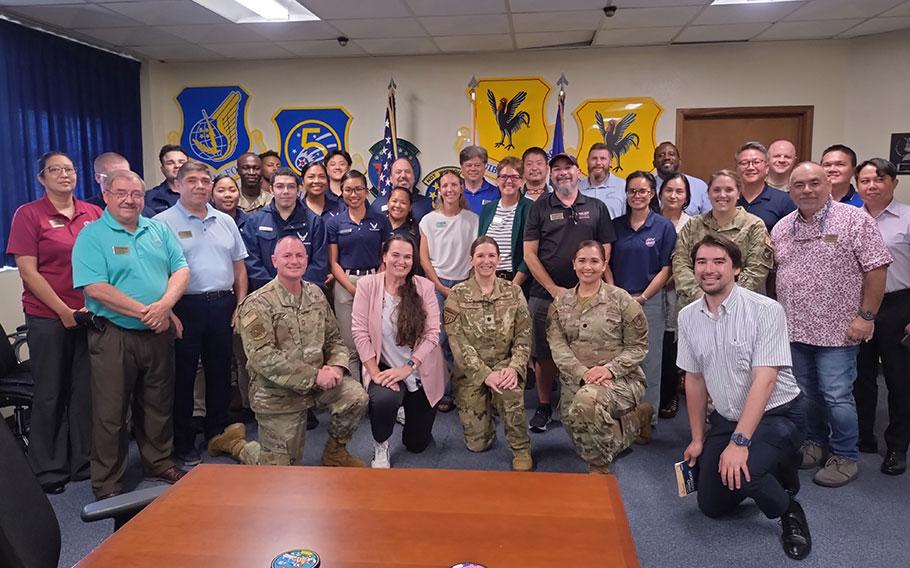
(746, 230)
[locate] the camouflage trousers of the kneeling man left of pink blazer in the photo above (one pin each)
(282, 436)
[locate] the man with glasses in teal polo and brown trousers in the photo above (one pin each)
(132, 271)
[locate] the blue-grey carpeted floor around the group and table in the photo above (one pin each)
(866, 523)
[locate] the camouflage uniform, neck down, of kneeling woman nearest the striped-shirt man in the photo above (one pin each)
(605, 333)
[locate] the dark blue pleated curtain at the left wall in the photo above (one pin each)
(60, 95)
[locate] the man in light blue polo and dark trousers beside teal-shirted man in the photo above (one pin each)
(214, 252)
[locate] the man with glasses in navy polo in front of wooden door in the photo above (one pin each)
(757, 197)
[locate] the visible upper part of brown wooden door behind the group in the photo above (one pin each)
(707, 138)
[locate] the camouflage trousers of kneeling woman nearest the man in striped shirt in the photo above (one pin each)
(601, 420)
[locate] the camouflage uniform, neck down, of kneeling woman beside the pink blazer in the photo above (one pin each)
(490, 337)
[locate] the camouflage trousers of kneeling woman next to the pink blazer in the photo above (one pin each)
(474, 403)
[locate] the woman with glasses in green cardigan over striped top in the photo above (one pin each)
(504, 221)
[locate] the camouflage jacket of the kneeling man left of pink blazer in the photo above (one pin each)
(287, 339)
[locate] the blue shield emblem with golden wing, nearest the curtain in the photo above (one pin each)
(214, 123)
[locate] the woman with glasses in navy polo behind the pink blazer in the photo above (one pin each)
(355, 239)
